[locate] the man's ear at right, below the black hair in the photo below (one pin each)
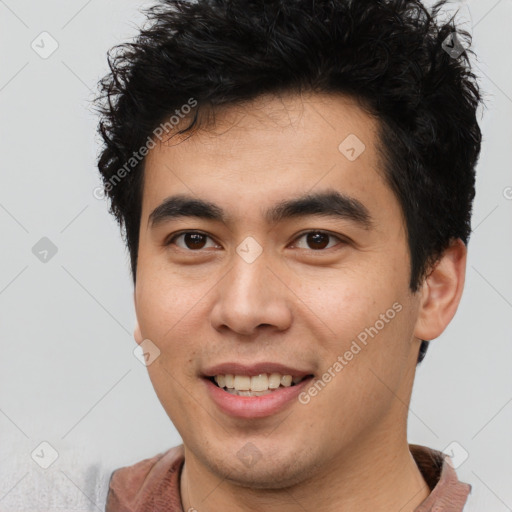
(441, 292)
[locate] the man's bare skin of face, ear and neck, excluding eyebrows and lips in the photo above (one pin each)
(347, 448)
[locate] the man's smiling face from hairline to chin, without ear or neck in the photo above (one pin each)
(253, 290)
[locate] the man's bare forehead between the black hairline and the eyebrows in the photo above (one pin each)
(268, 150)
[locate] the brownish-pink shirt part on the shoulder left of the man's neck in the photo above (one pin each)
(132, 488)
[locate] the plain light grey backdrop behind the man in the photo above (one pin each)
(67, 372)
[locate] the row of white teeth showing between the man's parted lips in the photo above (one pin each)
(257, 385)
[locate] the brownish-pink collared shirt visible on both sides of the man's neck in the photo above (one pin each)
(153, 485)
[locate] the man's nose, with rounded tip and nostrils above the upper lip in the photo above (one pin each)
(251, 297)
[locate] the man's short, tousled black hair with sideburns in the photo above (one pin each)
(392, 56)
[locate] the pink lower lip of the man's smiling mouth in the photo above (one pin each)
(255, 406)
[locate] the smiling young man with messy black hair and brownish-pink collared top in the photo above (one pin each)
(295, 181)
